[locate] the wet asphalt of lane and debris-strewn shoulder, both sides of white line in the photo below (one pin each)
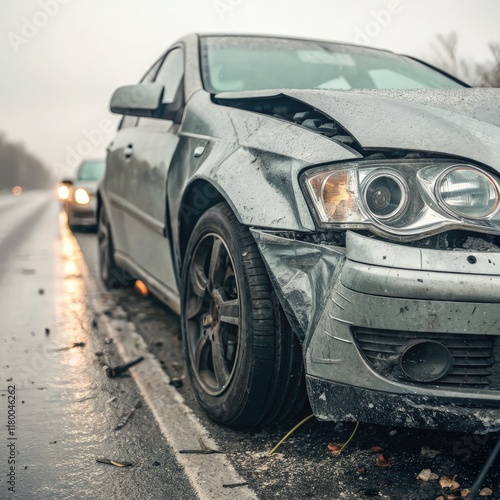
(57, 385)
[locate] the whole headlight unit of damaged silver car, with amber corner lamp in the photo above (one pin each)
(404, 199)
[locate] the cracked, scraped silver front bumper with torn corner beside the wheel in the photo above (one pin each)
(356, 308)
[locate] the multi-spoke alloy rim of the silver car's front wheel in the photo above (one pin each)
(213, 315)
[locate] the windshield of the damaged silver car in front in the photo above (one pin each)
(232, 64)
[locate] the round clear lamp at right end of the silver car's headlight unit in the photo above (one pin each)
(468, 192)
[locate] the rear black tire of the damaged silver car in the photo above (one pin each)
(111, 274)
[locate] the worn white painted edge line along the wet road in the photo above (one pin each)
(177, 422)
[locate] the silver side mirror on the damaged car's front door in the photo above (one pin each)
(143, 99)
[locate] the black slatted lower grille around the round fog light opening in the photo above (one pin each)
(476, 357)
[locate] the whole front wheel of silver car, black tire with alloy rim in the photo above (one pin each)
(244, 361)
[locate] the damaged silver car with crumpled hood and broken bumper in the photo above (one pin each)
(325, 218)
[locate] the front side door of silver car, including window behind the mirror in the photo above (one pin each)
(148, 152)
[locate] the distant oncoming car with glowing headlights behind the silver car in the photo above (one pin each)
(79, 195)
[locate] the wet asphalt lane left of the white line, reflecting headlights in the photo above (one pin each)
(63, 409)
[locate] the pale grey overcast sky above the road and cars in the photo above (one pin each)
(61, 59)
